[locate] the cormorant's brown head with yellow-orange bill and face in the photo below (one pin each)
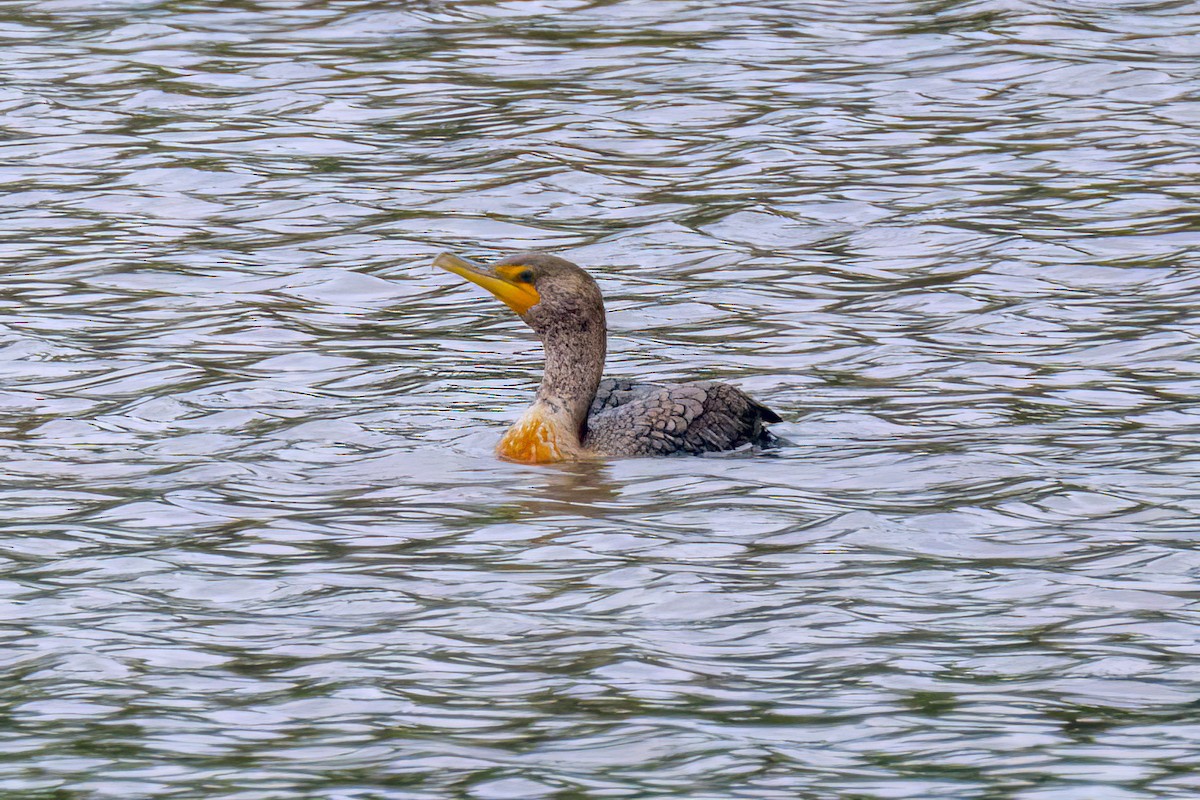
(549, 293)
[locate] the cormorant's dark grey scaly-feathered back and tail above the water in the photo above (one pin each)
(639, 419)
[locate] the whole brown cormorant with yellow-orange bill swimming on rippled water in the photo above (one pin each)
(579, 416)
